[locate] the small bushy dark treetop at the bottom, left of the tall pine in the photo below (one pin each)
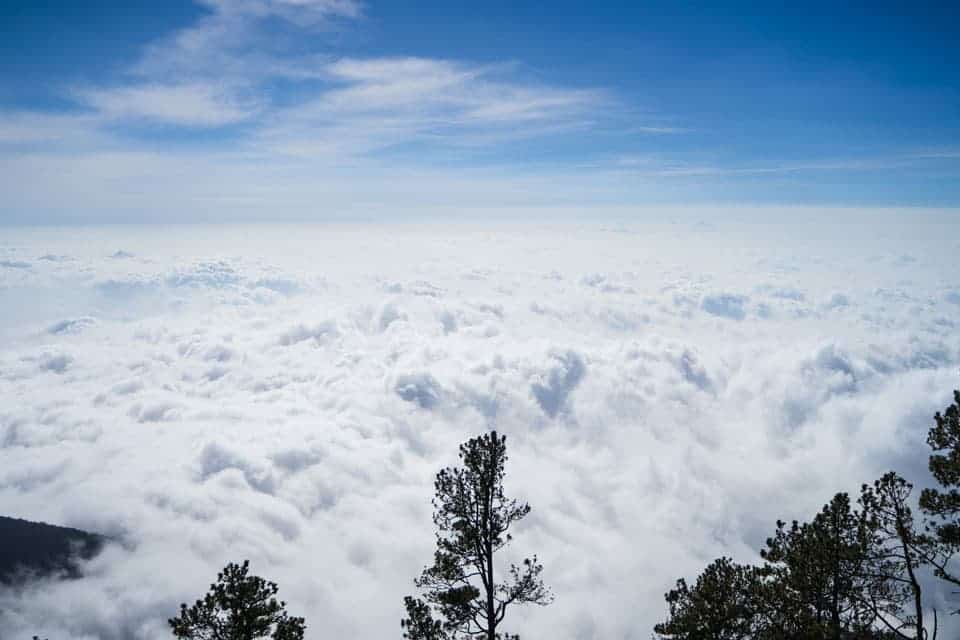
(237, 607)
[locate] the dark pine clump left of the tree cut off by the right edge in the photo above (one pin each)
(828, 579)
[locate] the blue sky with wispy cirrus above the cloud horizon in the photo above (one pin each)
(324, 108)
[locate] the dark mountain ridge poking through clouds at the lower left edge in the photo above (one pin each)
(34, 549)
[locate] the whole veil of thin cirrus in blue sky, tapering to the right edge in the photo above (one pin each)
(294, 120)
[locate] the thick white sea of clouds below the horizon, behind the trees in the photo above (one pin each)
(287, 393)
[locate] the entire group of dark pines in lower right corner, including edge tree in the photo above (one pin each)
(847, 574)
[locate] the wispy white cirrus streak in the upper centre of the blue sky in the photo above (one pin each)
(377, 103)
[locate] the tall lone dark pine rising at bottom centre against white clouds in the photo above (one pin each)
(473, 517)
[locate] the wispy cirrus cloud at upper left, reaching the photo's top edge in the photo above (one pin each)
(212, 73)
